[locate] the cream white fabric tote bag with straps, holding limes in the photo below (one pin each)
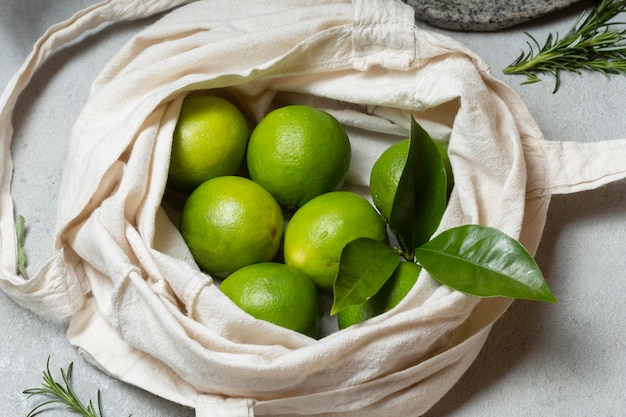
(141, 309)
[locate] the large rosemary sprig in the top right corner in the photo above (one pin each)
(593, 43)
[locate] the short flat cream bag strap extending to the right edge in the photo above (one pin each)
(580, 166)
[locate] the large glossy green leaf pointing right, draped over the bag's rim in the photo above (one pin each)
(485, 262)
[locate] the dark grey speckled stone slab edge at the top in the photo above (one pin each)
(483, 15)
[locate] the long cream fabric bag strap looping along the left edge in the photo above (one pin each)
(107, 11)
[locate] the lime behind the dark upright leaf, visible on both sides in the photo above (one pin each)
(387, 170)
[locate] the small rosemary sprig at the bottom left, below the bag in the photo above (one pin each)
(62, 394)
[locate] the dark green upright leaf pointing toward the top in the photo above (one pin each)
(421, 197)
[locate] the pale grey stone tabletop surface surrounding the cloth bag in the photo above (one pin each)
(557, 360)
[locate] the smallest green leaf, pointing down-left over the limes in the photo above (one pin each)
(364, 267)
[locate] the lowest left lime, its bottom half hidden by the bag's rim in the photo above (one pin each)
(276, 293)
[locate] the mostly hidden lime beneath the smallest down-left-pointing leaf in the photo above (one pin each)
(389, 296)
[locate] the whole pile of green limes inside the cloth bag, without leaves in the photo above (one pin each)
(265, 211)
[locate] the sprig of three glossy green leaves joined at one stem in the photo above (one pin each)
(474, 259)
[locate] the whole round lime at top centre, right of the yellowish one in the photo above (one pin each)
(298, 152)
